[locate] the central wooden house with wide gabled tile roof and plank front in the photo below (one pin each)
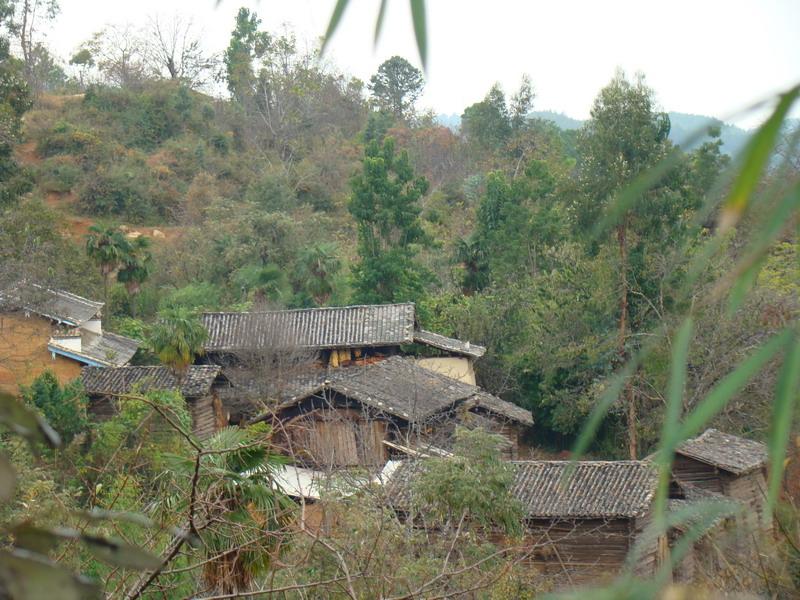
(361, 415)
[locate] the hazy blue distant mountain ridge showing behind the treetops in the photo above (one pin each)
(684, 127)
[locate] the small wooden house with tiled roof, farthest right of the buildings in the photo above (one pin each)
(728, 465)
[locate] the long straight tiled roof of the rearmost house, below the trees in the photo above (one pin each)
(314, 328)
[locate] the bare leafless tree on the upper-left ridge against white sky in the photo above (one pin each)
(174, 51)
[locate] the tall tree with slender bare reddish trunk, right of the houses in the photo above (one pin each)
(624, 137)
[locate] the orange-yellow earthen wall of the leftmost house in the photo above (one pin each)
(24, 354)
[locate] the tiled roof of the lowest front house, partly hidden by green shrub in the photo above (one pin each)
(594, 490)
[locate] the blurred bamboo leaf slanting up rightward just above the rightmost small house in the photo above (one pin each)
(732, 383)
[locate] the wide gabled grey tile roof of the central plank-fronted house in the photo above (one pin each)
(399, 386)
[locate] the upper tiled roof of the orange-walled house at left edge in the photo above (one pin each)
(53, 304)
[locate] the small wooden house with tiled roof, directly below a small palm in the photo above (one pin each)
(107, 386)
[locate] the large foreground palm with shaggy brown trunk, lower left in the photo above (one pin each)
(245, 515)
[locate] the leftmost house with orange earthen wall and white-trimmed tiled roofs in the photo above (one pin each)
(48, 329)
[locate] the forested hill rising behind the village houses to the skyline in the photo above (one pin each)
(304, 187)
